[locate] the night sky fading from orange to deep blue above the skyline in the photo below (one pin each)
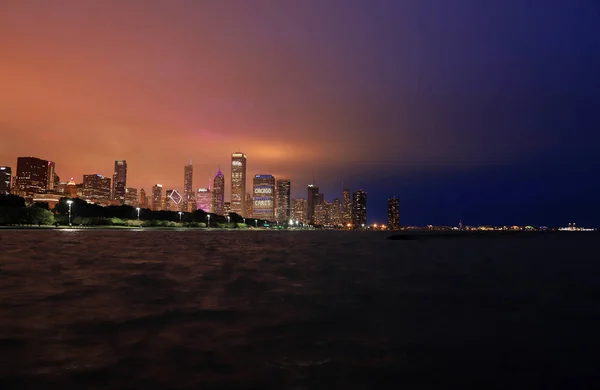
(485, 111)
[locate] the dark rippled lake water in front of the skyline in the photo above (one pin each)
(111, 309)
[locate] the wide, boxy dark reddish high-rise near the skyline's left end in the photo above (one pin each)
(32, 177)
